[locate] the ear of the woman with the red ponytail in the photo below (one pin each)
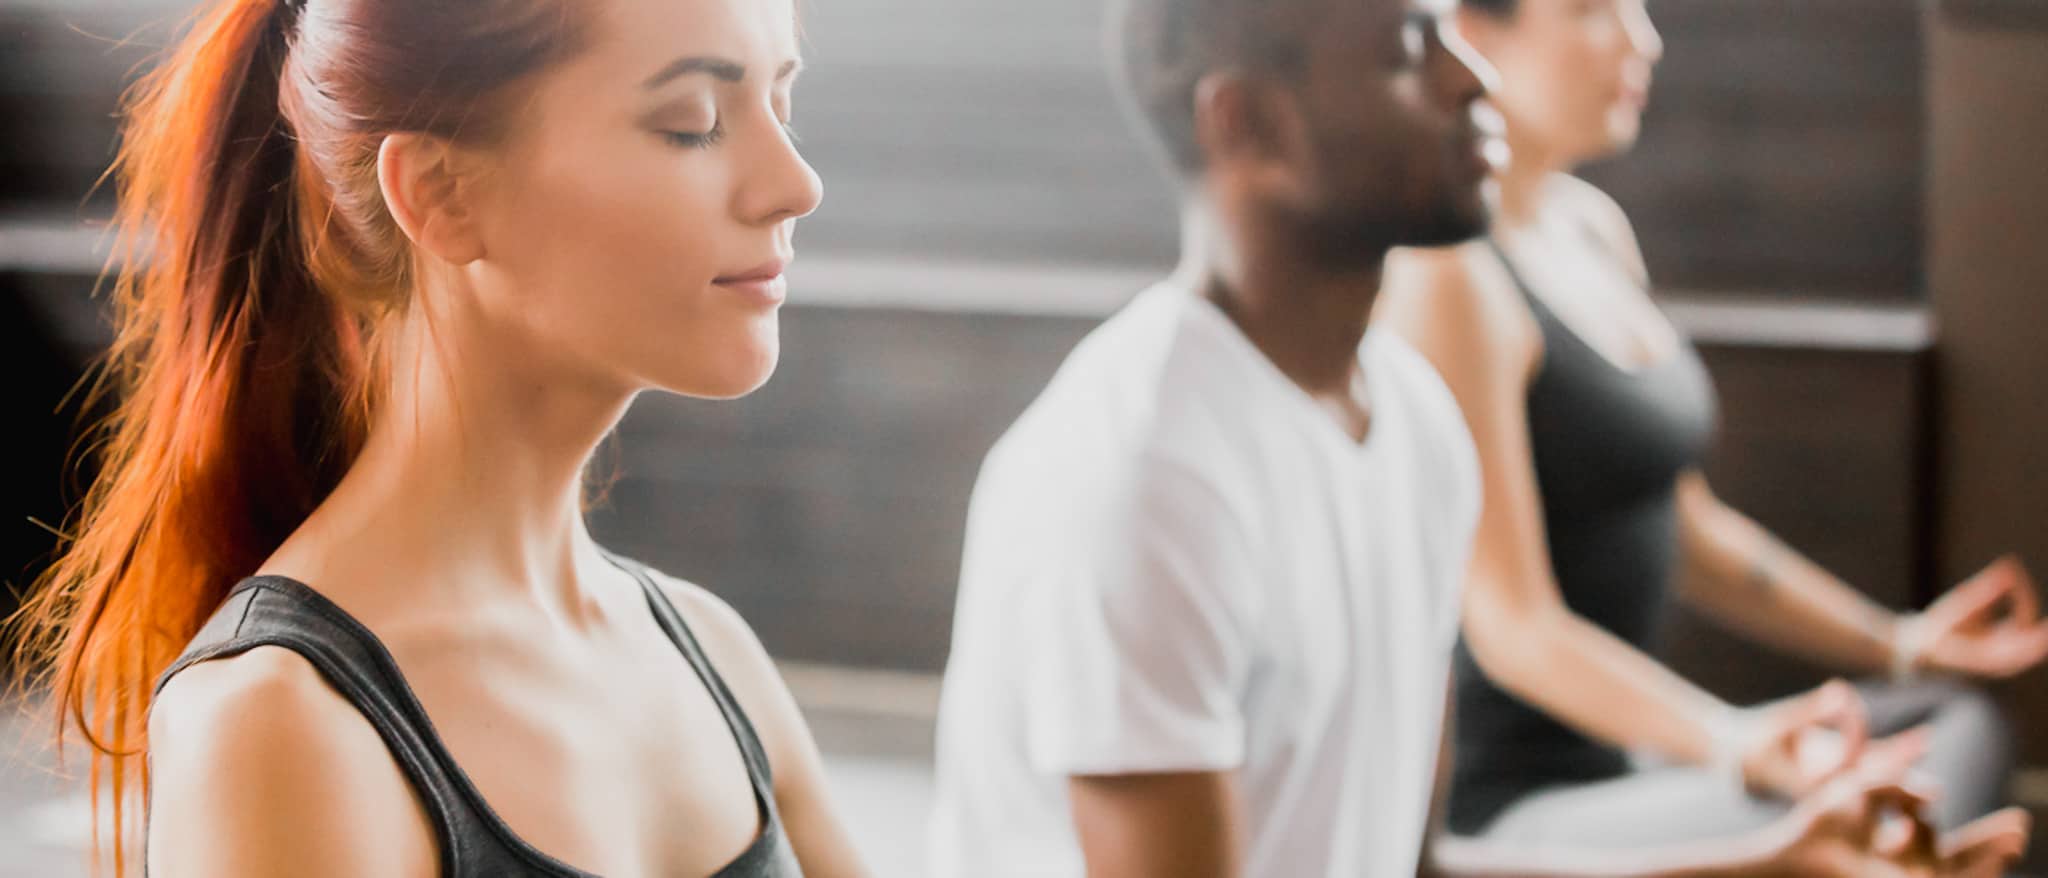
(423, 183)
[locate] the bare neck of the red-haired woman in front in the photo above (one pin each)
(472, 474)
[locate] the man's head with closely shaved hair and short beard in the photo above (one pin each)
(1351, 126)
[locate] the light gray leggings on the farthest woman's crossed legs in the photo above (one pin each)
(1969, 756)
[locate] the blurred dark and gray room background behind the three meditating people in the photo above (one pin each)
(1842, 200)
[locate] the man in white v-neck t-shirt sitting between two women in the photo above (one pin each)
(1213, 574)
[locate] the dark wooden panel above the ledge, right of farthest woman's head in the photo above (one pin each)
(1783, 148)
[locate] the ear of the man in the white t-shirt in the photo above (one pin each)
(1252, 128)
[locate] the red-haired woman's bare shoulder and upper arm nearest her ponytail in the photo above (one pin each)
(257, 766)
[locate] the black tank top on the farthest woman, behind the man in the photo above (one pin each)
(1609, 447)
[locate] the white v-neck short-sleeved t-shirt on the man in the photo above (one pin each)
(1177, 562)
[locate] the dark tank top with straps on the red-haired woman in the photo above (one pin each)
(474, 842)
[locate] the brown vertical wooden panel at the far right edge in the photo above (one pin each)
(1988, 222)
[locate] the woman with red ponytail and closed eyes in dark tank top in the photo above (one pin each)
(392, 271)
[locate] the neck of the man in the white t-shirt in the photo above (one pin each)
(1306, 318)
